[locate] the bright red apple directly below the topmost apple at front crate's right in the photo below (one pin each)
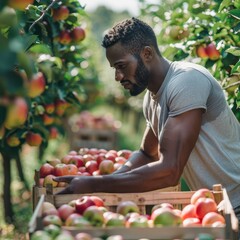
(203, 206)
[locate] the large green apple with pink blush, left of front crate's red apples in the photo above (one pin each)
(165, 217)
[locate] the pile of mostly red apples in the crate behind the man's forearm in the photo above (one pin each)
(85, 162)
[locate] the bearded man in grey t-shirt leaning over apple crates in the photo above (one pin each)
(191, 131)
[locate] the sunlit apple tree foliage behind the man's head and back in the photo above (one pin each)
(205, 32)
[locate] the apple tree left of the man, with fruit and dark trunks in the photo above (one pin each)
(44, 68)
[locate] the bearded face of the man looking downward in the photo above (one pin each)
(130, 70)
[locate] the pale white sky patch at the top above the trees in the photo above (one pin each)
(117, 5)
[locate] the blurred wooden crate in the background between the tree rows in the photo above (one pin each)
(93, 138)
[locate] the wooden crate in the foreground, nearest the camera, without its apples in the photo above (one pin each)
(143, 200)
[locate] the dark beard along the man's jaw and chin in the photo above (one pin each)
(142, 75)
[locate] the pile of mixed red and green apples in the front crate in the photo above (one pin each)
(90, 211)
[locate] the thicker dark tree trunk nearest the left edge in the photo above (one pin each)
(8, 211)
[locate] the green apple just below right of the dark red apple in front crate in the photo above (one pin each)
(94, 215)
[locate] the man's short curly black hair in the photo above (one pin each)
(133, 34)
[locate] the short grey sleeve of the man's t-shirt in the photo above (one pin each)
(189, 90)
